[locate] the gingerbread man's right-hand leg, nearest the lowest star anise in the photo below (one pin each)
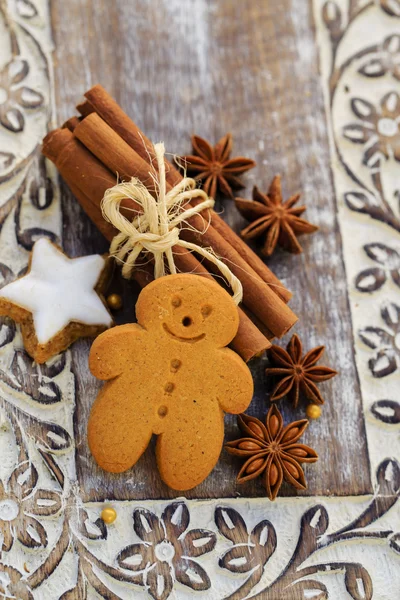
(190, 446)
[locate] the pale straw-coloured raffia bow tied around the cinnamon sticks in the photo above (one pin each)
(157, 228)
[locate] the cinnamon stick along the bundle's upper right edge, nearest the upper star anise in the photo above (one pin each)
(109, 110)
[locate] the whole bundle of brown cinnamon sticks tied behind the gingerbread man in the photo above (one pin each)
(102, 145)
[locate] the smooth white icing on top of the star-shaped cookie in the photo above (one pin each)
(59, 290)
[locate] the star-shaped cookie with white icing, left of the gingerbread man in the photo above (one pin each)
(58, 300)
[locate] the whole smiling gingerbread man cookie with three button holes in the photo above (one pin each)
(169, 375)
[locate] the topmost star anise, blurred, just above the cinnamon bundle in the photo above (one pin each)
(213, 167)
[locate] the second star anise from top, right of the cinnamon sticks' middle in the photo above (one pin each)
(274, 219)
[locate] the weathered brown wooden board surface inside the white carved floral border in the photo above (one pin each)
(211, 67)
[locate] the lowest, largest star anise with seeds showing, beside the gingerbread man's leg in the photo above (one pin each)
(271, 451)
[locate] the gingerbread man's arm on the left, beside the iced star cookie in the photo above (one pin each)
(111, 350)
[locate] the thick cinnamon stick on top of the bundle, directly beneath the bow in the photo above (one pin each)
(257, 296)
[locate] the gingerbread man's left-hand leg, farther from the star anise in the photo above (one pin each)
(118, 432)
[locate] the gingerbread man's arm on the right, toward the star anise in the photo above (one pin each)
(234, 387)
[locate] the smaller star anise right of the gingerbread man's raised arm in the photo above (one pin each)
(296, 373)
